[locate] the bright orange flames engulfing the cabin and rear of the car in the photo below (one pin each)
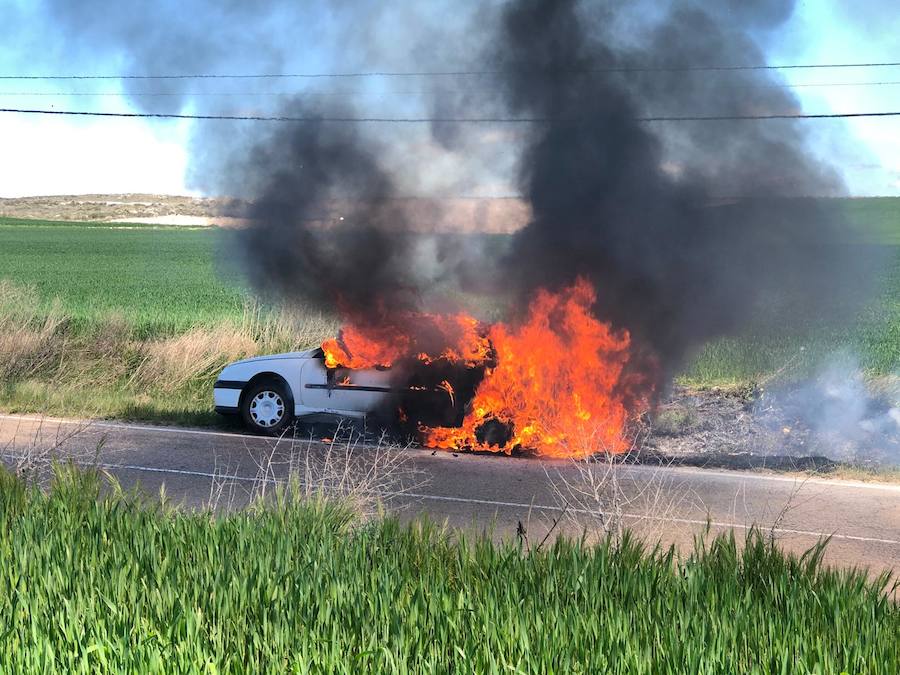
(557, 383)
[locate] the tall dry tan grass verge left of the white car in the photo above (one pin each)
(54, 365)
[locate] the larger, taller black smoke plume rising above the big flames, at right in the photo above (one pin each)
(688, 229)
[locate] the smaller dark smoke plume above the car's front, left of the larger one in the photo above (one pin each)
(327, 228)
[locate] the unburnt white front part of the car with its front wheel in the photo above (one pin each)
(270, 392)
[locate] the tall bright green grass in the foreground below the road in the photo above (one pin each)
(96, 581)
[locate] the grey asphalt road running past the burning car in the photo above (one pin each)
(499, 494)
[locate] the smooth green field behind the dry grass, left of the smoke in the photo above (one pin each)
(159, 279)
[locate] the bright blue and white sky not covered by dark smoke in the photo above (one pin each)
(47, 155)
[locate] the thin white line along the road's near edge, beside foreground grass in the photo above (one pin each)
(516, 505)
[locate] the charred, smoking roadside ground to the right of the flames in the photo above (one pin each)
(780, 430)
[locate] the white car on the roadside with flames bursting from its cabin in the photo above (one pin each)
(399, 381)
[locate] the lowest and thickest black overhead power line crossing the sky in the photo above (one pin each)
(449, 120)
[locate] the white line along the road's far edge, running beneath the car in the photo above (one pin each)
(691, 471)
